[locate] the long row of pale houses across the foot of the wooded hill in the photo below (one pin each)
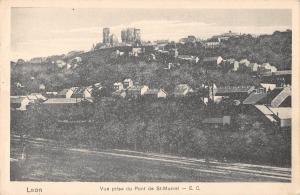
(272, 105)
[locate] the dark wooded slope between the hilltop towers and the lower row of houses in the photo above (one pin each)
(98, 66)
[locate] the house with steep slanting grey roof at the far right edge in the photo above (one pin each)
(279, 97)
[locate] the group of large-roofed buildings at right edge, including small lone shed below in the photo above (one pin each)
(272, 107)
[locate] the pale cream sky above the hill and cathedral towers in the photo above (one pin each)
(37, 32)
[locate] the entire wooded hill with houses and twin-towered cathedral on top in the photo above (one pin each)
(192, 97)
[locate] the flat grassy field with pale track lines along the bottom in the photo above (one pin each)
(52, 162)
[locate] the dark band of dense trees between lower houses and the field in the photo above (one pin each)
(170, 127)
